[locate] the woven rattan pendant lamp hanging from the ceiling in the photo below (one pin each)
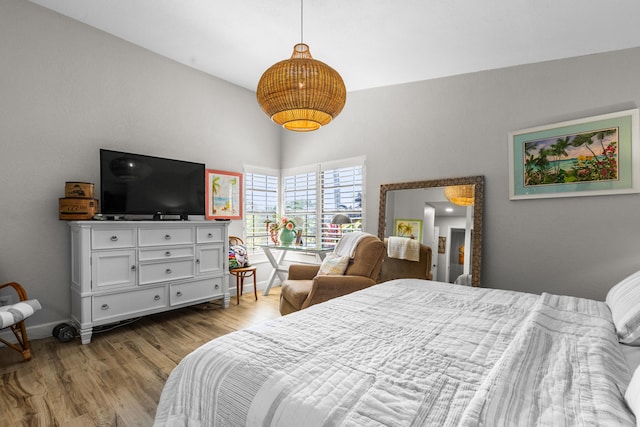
(301, 93)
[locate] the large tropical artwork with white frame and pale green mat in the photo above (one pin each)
(597, 155)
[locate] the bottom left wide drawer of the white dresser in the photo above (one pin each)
(128, 304)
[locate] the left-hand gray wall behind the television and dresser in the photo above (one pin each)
(67, 90)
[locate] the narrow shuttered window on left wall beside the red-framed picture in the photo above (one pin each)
(261, 204)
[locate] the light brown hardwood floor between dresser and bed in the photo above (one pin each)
(116, 380)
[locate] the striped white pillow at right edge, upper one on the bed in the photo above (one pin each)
(624, 301)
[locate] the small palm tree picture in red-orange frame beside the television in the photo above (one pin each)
(224, 194)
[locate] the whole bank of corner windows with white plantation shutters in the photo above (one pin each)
(311, 196)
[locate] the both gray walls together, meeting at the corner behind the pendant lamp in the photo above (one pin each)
(67, 90)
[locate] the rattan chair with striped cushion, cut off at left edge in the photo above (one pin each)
(13, 315)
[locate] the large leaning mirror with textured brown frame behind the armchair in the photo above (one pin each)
(445, 214)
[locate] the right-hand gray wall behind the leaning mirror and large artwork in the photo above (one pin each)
(458, 126)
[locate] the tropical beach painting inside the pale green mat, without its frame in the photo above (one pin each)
(580, 157)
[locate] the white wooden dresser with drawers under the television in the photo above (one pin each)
(126, 269)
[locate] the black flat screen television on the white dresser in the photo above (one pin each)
(135, 184)
